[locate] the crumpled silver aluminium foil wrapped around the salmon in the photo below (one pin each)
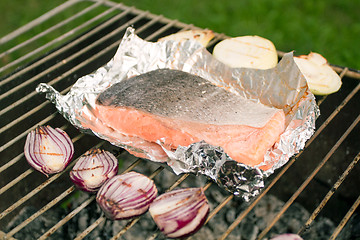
(282, 87)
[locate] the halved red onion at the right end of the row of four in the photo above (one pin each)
(181, 212)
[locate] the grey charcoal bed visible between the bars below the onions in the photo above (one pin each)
(252, 225)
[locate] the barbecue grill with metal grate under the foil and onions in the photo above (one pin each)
(323, 178)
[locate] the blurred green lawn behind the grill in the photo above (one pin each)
(329, 27)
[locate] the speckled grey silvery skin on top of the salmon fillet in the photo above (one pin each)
(180, 95)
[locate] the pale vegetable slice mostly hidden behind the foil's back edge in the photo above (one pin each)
(202, 36)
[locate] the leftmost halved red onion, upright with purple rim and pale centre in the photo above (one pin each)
(48, 150)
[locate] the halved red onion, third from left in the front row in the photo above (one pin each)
(126, 195)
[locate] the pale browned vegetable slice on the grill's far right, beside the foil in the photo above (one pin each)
(321, 78)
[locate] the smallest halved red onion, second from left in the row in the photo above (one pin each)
(93, 168)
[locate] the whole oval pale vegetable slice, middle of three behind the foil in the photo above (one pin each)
(247, 51)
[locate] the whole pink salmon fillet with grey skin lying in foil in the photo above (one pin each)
(174, 108)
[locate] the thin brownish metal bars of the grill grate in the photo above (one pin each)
(159, 26)
